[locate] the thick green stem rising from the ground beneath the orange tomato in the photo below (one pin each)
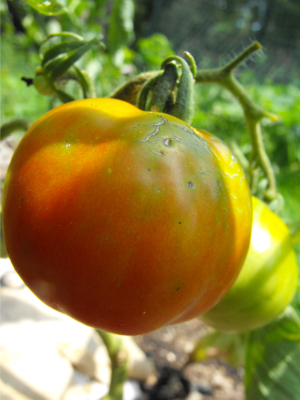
(118, 358)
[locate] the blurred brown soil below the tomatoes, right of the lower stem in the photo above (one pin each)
(212, 378)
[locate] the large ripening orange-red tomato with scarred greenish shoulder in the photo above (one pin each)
(125, 220)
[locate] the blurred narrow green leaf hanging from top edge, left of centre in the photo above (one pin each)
(121, 30)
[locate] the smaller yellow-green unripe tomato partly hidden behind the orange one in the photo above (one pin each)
(267, 282)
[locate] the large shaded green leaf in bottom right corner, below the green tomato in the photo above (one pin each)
(273, 358)
